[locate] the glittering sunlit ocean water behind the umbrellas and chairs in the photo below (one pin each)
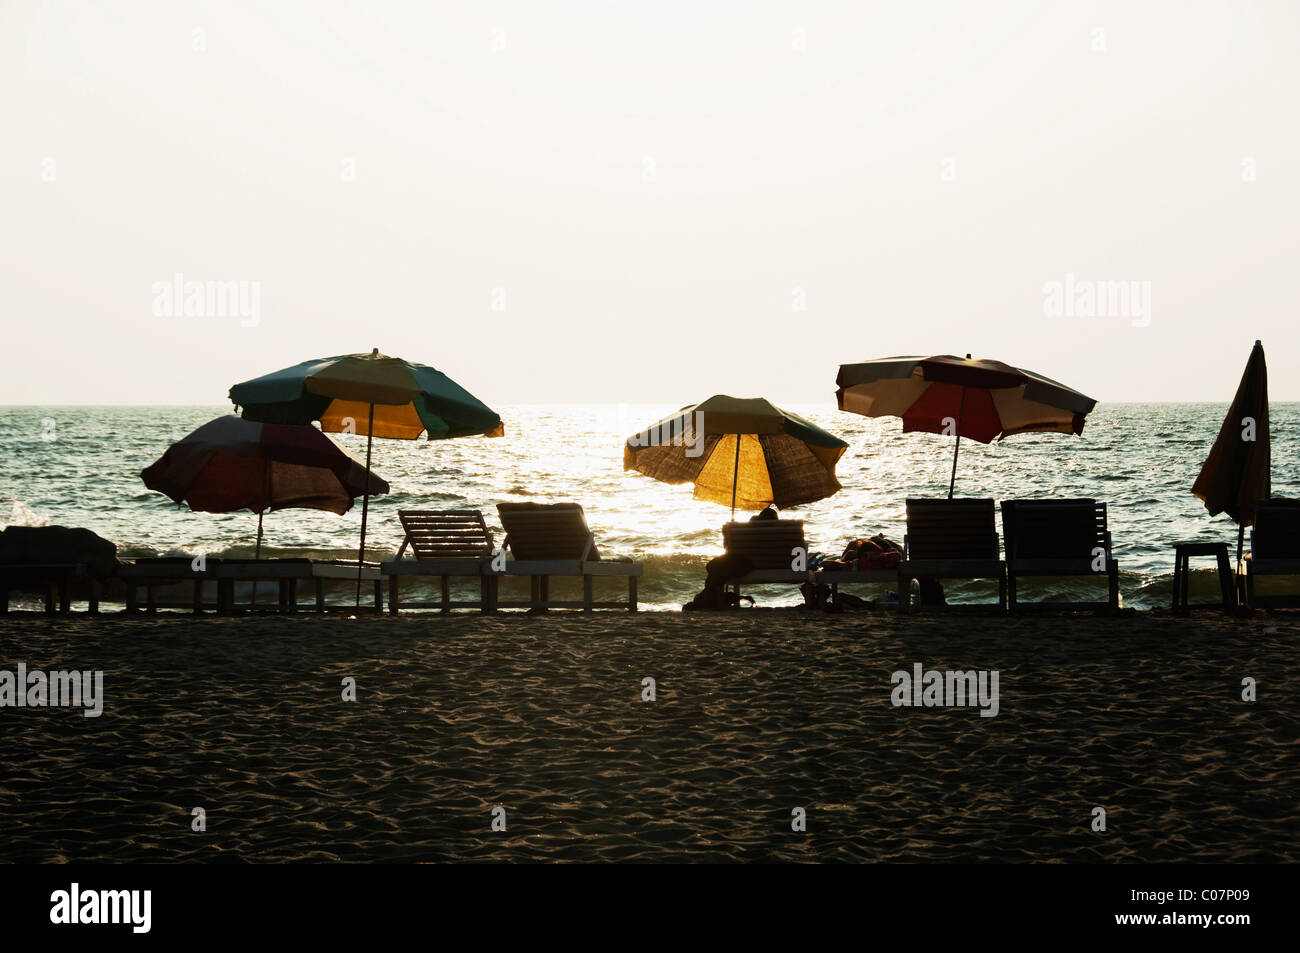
(80, 467)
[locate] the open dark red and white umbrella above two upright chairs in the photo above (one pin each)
(978, 400)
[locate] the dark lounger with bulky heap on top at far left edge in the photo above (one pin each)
(60, 562)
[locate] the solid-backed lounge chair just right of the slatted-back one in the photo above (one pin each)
(554, 540)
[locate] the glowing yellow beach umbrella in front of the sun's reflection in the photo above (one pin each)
(744, 452)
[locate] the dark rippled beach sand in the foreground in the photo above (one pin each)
(759, 713)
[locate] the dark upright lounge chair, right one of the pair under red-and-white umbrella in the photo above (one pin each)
(1059, 538)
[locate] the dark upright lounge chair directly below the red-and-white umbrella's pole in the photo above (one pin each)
(951, 539)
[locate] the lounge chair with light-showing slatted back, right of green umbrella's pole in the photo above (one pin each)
(445, 544)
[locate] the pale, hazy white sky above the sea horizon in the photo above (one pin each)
(647, 202)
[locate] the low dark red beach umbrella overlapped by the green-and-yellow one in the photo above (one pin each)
(232, 465)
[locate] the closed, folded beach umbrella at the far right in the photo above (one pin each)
(1237, 474)
